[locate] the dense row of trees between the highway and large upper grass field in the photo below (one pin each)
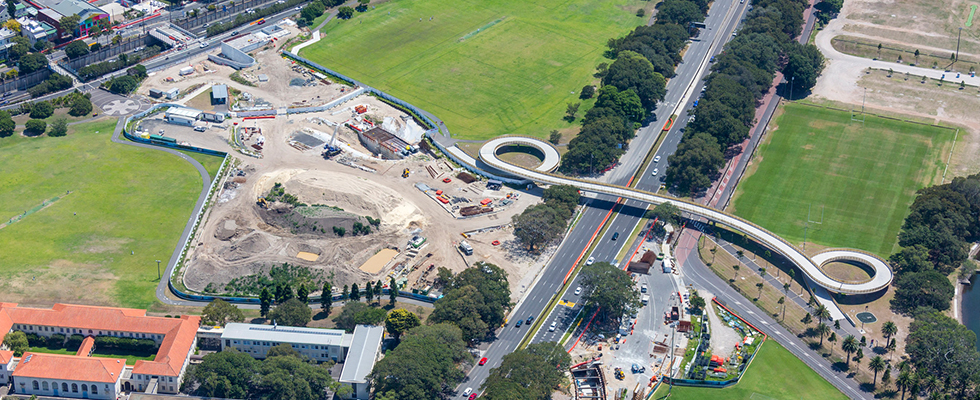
(631, 86)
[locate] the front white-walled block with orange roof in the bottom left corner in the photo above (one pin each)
(91, 378)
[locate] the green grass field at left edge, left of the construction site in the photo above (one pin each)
(97, 245)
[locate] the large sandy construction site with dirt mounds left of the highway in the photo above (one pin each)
(337, 183)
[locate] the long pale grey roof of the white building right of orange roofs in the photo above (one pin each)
(288, 334)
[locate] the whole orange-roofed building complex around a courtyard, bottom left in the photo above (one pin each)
(175, 336)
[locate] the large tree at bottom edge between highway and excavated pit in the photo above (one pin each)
(531, 373)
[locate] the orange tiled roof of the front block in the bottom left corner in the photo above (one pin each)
(55, 366)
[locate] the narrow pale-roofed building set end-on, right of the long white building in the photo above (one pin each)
(365, 349)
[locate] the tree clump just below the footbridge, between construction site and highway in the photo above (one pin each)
(541, 224)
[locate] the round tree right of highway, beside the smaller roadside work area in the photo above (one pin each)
(610, 289)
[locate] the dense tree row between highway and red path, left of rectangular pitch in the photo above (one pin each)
(741, 76)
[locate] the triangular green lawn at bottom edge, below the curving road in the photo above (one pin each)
(775, 374)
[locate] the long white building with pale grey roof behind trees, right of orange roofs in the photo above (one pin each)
(315, 343)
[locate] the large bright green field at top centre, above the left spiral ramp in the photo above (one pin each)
(515, 76)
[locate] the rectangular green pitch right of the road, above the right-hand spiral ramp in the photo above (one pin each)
(862, 177)
